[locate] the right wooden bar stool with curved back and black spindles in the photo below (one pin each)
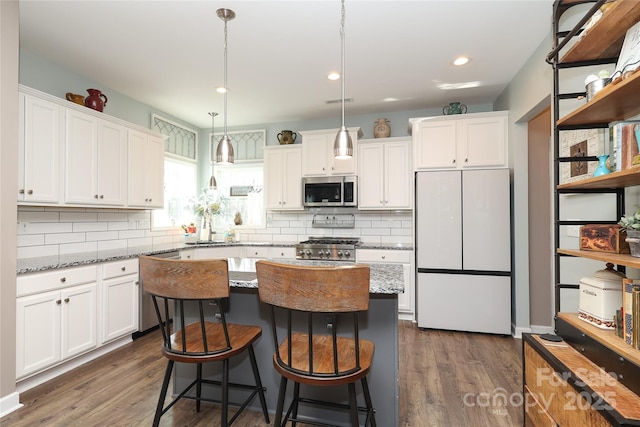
(336, 356)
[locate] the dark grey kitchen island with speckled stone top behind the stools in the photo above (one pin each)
(379, 324)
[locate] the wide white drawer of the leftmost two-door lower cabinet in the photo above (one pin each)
(28, 284)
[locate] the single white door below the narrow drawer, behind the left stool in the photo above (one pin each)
(120, 307)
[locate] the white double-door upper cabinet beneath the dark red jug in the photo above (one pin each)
(96, 161)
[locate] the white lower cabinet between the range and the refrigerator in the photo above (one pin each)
(406, 302)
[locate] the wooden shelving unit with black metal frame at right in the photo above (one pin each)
(588, 346)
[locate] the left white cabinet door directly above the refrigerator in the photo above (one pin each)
(435, 145)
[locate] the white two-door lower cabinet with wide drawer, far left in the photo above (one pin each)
(56, 318)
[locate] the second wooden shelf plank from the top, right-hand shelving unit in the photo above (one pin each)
(617, 101)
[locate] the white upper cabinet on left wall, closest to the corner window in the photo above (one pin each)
(146, 170)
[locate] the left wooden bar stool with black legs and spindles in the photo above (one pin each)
(194, 285)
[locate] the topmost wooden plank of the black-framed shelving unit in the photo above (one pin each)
(604, 39)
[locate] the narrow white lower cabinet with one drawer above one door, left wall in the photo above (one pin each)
(120, 294)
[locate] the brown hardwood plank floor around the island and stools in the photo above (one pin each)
(446, 379)
